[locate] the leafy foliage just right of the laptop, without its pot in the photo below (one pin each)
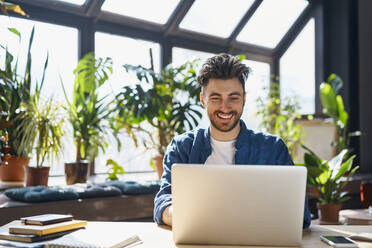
(329, 178)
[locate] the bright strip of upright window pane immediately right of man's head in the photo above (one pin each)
(256, 86)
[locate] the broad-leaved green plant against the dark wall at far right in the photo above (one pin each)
(333, 106)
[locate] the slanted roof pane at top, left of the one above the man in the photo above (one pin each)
(154, 11)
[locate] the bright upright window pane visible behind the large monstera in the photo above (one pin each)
(125, 50)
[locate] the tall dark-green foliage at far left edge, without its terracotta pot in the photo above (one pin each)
(15, 91)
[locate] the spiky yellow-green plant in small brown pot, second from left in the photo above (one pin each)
(44, 124)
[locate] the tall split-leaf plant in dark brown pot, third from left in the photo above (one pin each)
(87, 114)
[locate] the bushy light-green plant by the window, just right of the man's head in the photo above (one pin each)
(278, 117)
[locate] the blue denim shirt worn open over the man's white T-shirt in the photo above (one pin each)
(194, 147)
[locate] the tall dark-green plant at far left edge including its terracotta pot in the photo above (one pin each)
(15, 90)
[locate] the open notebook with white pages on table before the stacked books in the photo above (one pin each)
(95, 237)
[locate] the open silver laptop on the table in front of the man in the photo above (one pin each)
(238, 204)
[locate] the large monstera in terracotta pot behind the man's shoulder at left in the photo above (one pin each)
(159, 105)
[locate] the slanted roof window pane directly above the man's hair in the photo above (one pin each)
(217, 18)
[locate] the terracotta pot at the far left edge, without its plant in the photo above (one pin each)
(11, 169)
